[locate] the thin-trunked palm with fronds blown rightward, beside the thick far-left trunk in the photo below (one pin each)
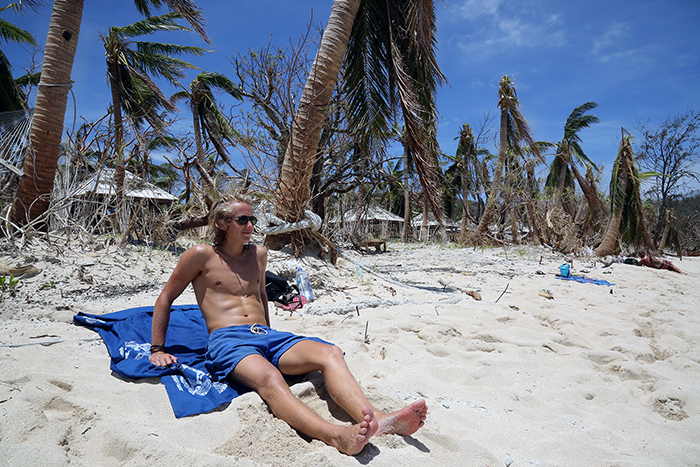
(130, 64)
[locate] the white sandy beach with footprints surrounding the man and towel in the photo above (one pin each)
(596, 376)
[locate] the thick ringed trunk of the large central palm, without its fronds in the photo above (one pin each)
(294, 188)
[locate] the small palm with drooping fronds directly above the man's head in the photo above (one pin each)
(207, 120)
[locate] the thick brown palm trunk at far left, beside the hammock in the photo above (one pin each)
(41, 160)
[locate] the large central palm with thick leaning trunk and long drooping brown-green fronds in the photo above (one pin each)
(391, 59)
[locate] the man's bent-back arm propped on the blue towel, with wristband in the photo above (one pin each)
(188, 268)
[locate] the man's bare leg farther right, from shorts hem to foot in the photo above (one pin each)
(307, 356)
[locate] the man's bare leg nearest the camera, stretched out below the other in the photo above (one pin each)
(257, 373)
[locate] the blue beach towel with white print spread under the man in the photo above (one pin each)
(127, 335)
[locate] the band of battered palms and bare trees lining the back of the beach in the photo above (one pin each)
(354, 127)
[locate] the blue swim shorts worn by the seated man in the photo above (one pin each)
(228, 346)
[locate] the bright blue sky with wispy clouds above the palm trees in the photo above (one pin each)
(639, 60)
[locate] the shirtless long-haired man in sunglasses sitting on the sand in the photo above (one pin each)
(229, 282)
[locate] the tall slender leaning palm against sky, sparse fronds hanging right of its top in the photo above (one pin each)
(514, 129)
